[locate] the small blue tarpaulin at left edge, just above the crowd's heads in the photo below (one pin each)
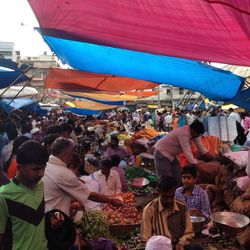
(22, 104)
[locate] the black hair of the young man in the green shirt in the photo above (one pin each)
(32, 152)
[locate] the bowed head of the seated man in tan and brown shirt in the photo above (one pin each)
(166, 188)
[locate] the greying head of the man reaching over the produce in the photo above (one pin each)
(63, 148)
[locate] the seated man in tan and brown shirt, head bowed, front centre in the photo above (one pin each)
(167, 216)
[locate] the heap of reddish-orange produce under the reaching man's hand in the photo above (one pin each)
(126, 214)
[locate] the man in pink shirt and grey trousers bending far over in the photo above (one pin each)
(179, 140)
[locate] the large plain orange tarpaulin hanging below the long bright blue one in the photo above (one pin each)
(65, 79)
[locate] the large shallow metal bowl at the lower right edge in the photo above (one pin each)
(230, 223)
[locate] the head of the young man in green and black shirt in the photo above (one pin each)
(31, 160)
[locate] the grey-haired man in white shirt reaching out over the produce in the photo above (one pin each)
(61, 185)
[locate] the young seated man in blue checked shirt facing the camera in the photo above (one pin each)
(192, 195)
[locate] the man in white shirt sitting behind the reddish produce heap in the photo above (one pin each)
(108, 179)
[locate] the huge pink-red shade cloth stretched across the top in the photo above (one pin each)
(208, 30)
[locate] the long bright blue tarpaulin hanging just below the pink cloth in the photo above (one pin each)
(212, 82)
